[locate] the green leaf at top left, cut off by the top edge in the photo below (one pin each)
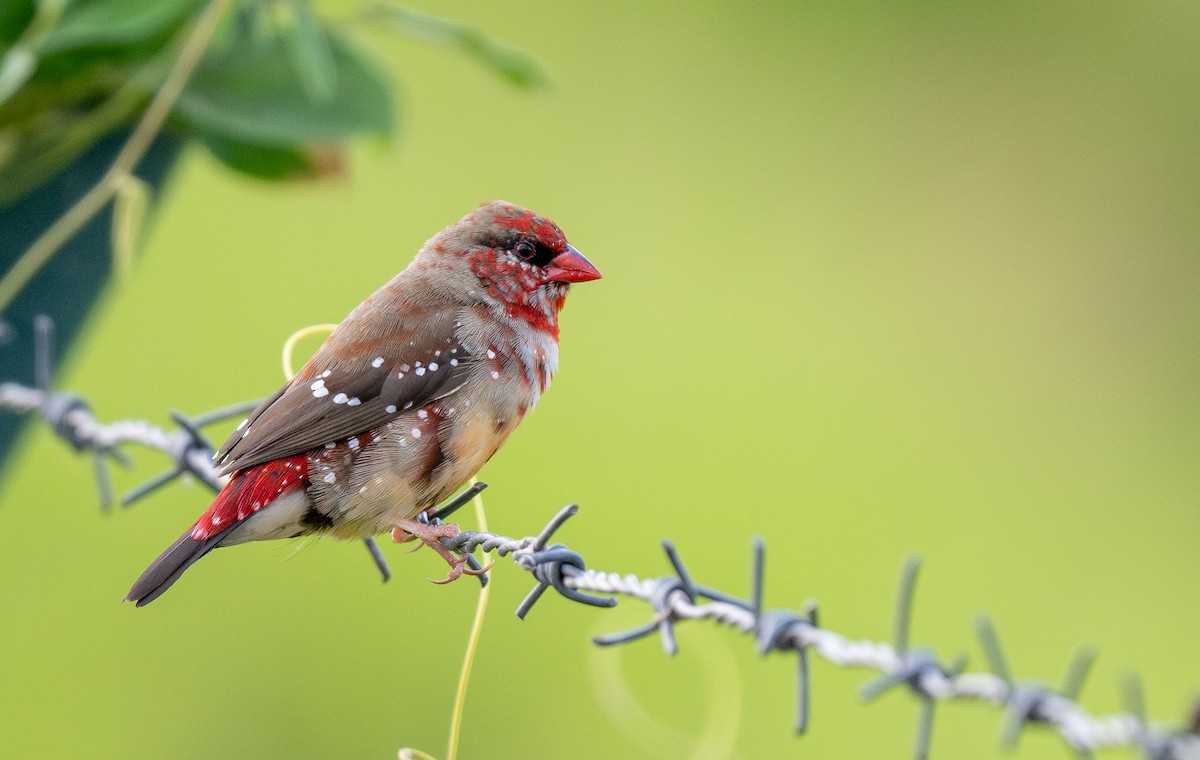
(91, 23)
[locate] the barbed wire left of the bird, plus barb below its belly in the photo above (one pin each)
(70, 417)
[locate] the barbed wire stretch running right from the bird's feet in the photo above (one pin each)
(677, 599)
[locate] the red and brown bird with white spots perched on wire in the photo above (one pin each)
(405, 402)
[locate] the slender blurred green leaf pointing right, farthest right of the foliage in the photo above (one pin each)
(509, 63)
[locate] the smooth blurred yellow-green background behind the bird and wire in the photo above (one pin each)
(878, 280)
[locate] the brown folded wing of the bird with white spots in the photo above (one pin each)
(343, 392)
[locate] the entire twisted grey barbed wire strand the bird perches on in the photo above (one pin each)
(675, 599)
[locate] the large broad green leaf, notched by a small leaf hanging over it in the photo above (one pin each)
(251, 94)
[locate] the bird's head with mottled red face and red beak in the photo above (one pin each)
(518, 262)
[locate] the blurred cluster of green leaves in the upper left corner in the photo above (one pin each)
(277, 97)
